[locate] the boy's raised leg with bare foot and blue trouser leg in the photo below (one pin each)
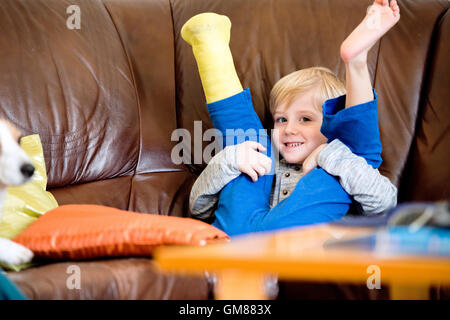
(353, 119)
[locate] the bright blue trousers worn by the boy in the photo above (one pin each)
(244, 206)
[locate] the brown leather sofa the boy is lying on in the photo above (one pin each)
(106, 98)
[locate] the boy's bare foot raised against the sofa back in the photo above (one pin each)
(381, 16)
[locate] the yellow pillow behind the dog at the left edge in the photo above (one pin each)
(24, 204)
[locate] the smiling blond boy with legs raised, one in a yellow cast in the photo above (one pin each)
(301, 130)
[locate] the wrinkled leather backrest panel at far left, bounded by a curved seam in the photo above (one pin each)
(73, 87)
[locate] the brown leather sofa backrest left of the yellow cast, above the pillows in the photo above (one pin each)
(101, 97)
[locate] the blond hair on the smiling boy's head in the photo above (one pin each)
(326, 83)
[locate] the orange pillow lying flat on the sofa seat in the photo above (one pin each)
(88, 231)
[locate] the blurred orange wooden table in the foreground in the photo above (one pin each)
(243, 264)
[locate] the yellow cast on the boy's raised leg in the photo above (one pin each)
(209, 35)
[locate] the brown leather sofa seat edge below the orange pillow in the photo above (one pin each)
(128, 278)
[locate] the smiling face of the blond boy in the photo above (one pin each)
(297, 127)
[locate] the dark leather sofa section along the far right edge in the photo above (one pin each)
(426, 177)
